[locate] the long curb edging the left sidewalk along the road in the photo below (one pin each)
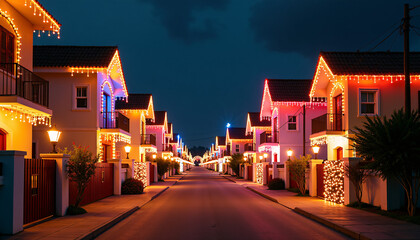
(104, 227)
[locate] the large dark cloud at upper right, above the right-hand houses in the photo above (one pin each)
(308, 26)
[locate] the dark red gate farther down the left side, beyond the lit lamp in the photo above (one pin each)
(101, 185)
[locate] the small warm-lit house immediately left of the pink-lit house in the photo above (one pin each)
(255, 126)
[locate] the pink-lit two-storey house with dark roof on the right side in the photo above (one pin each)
(286, 103)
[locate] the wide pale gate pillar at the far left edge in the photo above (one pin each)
(12, 191)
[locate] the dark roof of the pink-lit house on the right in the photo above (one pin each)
(289, 90)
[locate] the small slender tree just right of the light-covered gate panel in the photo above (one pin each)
(357, 176)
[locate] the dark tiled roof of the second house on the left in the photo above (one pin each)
(73, 56)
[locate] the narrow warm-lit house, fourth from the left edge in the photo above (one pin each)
(158, 127)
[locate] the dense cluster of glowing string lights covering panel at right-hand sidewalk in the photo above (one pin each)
(334, 181)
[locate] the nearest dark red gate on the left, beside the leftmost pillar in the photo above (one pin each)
(39, 195)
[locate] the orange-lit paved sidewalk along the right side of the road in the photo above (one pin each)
(355, 223)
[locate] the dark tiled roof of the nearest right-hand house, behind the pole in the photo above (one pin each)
(370, 63)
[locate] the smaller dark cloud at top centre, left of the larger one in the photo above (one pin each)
(182, 19)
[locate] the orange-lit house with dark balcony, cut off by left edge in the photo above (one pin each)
(24, 96)
